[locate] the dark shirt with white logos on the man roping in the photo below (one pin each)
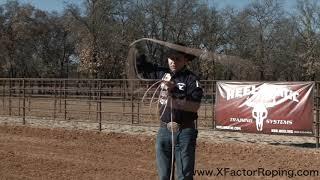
(186, 95)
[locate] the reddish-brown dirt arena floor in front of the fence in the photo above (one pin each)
(56, 153)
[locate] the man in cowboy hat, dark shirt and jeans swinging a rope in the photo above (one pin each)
(180, 99)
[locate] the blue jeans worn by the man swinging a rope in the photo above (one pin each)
(185, 145)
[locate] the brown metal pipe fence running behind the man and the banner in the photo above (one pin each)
(102, 101)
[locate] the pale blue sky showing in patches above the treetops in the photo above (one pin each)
(58, 5)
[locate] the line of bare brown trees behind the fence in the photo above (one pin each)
(92, 40)
